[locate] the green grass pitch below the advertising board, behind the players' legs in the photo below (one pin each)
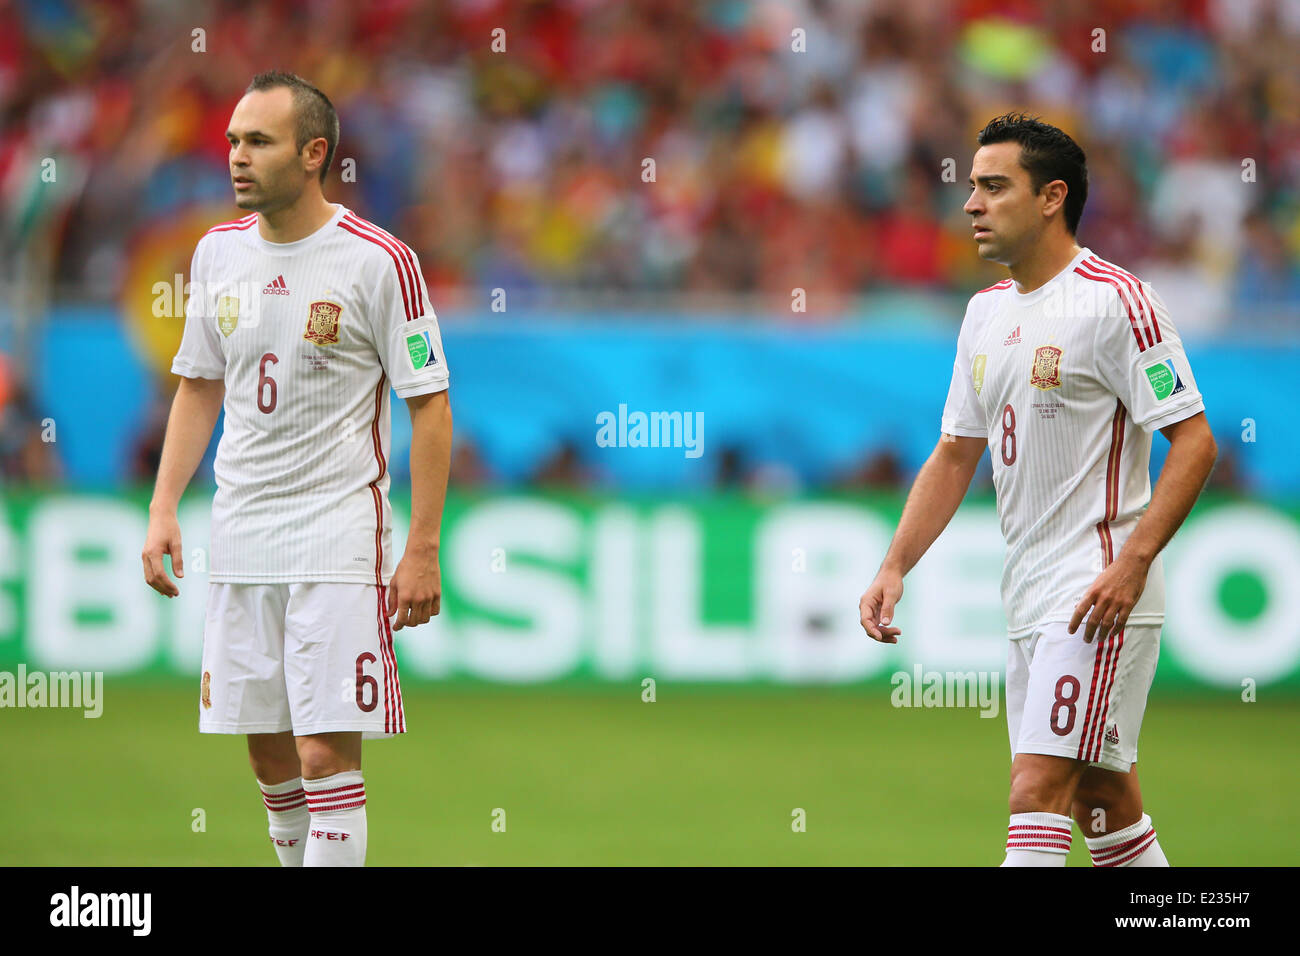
(595, 776)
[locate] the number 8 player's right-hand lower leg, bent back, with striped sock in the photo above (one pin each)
(1121, 834)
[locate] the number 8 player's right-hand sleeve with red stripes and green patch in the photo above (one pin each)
(1142, 360)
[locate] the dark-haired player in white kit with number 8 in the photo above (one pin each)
(1064, 373)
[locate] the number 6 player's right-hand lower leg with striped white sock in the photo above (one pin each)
(336, 798)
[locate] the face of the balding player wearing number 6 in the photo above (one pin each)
(267, 170)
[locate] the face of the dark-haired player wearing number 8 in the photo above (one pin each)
(1003, 206)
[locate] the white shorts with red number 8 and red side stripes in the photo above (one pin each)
(1085, 702)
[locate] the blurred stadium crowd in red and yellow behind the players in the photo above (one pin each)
(775, 168)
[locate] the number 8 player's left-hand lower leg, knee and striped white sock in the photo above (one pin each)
(1043, 789)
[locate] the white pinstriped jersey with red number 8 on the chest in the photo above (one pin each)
(1068, 384)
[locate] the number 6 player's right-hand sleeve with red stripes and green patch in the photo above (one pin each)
(406, 331)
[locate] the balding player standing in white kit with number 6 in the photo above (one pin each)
(302, 318)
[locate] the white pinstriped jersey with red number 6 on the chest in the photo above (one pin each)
(309, 336)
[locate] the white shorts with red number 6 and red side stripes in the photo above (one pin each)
(310, 659)
